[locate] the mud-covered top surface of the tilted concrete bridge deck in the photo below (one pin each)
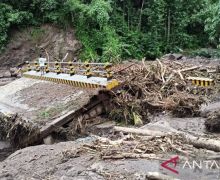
(38, 103)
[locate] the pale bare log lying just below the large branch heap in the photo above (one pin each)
(144, 132)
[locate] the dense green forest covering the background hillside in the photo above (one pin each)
(119, 29)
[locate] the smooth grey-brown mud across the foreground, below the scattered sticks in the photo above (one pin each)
(66, 161)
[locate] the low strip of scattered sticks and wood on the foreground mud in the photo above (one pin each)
(132, 147)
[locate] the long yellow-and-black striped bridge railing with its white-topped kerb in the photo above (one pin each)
(84, 75)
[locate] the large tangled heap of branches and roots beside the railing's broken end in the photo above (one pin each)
(155, 87)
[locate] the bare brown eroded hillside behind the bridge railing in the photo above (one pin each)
(26, 44)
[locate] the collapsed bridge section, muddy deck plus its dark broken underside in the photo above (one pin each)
(32, 109)
